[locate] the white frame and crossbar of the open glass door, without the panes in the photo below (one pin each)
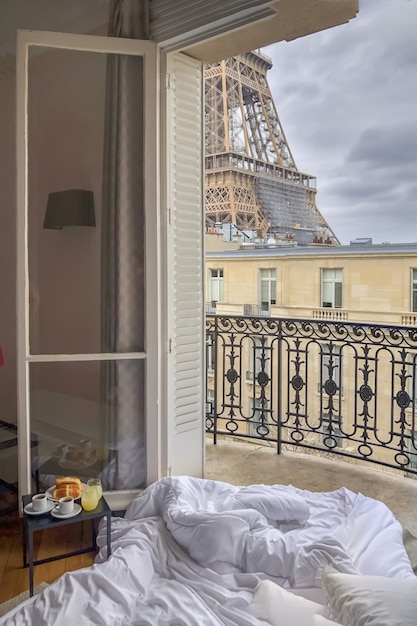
(149, 51)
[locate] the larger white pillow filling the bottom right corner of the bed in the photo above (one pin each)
(370, 600)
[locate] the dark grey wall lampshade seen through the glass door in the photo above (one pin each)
(72, 207)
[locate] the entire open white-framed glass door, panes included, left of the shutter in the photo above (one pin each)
(86, 258)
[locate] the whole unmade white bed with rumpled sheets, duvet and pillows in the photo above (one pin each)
(193, 552)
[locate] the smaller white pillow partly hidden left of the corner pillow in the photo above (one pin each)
(280, 607)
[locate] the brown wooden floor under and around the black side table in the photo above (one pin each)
(14, 578)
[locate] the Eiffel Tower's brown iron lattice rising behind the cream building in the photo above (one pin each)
(251, 179)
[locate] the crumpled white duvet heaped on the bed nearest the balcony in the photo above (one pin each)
(281, 531)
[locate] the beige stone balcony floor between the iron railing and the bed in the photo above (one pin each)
(244, 462)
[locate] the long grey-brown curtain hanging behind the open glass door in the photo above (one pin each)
(123, 256)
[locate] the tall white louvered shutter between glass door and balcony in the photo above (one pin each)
(185, 375)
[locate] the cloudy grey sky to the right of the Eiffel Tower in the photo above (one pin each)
(347, 101)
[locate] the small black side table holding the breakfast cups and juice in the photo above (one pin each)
(33, 523)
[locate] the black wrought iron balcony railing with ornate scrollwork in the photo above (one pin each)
(330, 386)
